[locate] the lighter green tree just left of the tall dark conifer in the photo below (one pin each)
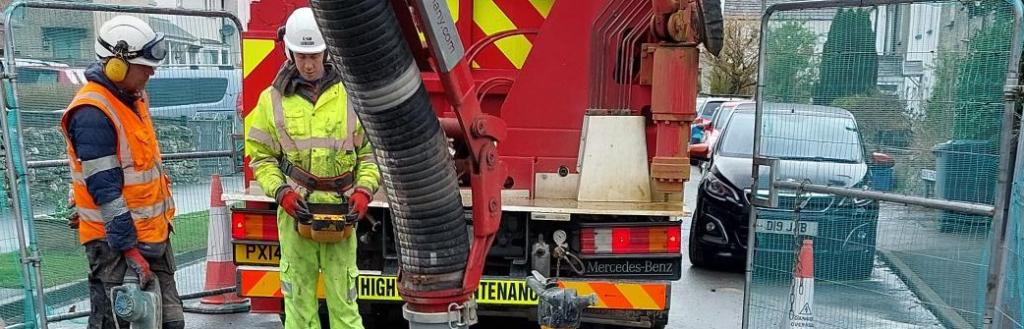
(789, 63)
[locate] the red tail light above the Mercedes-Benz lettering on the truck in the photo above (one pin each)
(661, 239)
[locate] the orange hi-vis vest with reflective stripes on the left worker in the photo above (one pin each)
(147, 192)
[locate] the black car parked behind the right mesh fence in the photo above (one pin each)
(819, 145)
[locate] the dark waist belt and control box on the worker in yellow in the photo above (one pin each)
(330, 223)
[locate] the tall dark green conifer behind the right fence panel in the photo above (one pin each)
(850, 63)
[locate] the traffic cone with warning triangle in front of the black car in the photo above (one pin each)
(801, 306)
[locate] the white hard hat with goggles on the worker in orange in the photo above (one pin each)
(133, 39)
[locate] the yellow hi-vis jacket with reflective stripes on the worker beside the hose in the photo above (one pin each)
(325, 140)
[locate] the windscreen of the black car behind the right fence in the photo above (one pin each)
(795, 137)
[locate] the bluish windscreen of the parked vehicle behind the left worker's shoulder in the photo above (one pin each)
(185, 92)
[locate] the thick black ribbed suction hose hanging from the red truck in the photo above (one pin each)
(365, 39)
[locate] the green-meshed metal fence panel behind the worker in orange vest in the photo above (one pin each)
(193, 97)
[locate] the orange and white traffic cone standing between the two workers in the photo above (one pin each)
(220, 266)
